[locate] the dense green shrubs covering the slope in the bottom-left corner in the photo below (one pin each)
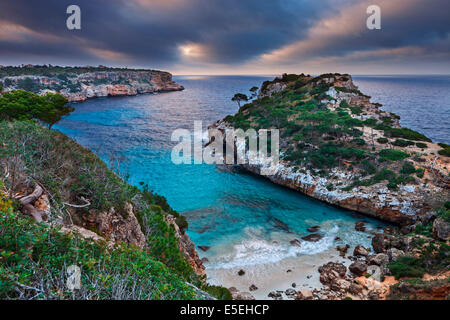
(37, 255)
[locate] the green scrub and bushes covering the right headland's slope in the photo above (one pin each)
(319, 138)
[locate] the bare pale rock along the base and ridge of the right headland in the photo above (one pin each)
(402, 206)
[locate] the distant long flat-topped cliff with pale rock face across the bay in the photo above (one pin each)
(79, 87)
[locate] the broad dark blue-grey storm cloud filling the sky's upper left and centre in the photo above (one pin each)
(151, 31)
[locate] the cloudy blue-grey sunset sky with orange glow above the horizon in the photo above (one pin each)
(231, 36)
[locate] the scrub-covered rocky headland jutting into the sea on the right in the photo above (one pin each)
(339, 147)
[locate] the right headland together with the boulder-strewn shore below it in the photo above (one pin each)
(339, 147)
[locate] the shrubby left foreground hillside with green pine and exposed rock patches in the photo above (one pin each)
(80, 193)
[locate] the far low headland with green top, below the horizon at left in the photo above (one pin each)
(81, 83)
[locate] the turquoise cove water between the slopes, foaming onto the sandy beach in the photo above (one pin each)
(245, 219)
